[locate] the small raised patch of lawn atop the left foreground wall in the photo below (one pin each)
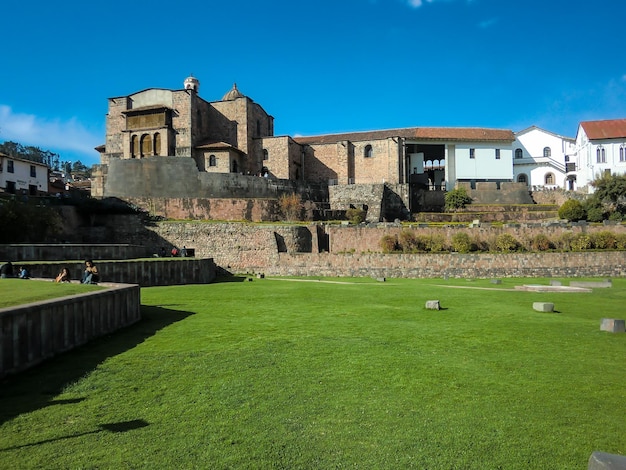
(20, 291)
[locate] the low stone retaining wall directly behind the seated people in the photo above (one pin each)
(146, 273)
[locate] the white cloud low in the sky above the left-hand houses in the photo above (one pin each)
(55, 135)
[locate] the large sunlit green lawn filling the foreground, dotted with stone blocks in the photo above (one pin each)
(347, 374)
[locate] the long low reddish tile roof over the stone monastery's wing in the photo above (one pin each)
(459, 134)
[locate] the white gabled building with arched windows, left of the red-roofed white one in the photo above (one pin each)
(541, 158)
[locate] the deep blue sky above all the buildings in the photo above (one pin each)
(321, 67)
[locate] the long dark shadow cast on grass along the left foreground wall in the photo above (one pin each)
(36, 388)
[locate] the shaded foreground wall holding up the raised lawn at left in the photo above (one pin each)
(31, 333)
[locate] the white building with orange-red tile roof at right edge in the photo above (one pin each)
(600, 148)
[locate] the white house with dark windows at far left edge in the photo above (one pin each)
(18, 176)
